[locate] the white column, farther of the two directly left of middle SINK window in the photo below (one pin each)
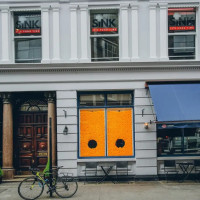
(74, 37)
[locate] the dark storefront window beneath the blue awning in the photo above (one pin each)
(178, 141)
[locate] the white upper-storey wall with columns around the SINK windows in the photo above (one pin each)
(151, 41)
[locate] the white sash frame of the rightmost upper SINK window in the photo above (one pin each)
(193, 33)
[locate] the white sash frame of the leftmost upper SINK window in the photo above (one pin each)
(15, 37)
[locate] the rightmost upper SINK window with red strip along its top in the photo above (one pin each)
(181, 33)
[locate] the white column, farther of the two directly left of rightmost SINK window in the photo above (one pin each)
(152, 24)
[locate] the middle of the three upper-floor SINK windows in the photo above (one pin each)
(104, 33)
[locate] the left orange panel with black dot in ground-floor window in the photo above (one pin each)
(92, 132)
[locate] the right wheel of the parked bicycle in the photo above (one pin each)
(66, 187)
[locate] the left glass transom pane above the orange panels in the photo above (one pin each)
(92, 100)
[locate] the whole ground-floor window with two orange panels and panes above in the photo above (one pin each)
(106, 127)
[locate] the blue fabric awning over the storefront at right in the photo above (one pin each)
(177, 104)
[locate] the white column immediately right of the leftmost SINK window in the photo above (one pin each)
(45, 35)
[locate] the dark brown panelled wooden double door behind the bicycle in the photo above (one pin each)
(32, 140)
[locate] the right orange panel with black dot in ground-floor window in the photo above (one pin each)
(120, 132)
